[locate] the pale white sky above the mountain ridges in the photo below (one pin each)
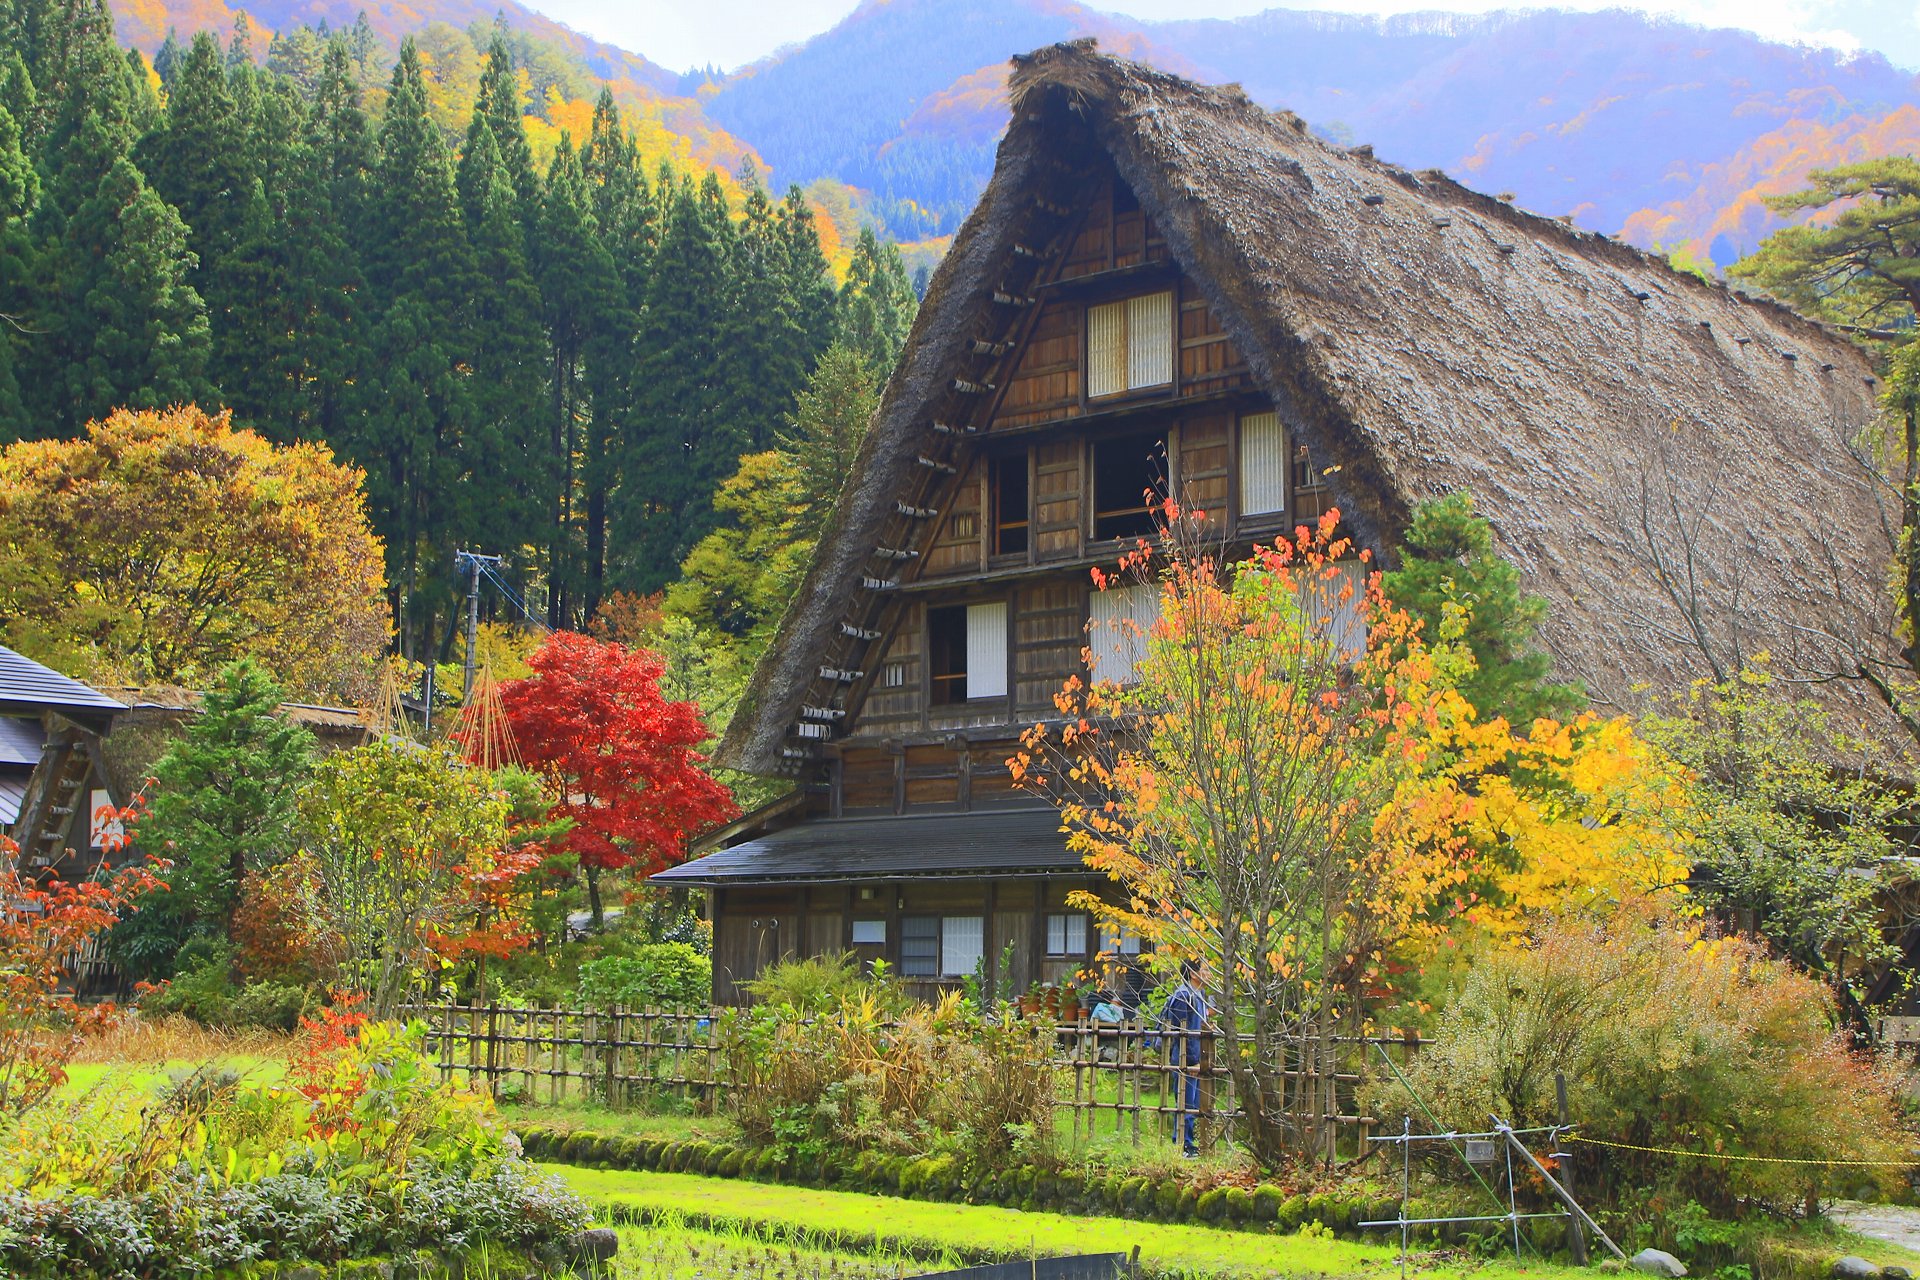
(731, 34)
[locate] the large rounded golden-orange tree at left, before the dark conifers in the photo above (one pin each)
(168, 544)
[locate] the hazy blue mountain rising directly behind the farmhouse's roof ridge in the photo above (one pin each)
(1596, 116)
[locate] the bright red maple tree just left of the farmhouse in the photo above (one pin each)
(621, 757)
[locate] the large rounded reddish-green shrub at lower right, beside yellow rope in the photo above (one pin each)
(1668, 1039)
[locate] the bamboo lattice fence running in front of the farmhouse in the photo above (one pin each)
(1115, 1079)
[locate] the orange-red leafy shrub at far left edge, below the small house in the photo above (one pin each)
(43, 930)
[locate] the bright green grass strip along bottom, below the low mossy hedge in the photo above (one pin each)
(976, 1233)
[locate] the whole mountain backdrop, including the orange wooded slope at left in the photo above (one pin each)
(1627, 124)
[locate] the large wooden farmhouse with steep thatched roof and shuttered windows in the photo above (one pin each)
(1172, 289)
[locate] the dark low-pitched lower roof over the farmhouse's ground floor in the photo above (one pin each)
(840, 849)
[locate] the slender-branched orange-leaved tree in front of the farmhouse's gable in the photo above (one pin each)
(1236, 788)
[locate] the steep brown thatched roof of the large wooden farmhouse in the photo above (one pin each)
(1602, 408)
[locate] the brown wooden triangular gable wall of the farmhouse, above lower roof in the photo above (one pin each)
(903, 751)
